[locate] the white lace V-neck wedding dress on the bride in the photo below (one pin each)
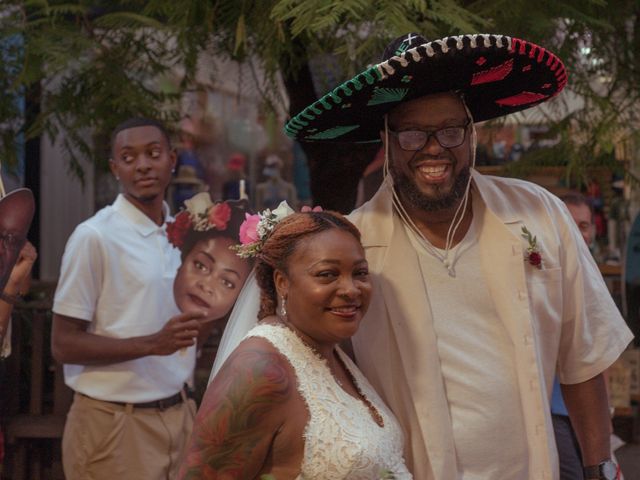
(342, 440)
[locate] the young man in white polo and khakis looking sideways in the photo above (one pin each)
(126, 349)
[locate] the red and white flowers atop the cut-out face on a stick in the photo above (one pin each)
(201, 215)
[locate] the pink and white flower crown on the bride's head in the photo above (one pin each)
(256, 228)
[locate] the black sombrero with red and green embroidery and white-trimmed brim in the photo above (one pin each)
(496, 74)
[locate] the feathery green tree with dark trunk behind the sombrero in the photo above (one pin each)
(85, 65)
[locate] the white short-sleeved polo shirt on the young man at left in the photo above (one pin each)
(117, 273)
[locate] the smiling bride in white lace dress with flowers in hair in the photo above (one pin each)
(288, 402)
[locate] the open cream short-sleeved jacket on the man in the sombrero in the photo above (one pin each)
(563, 307)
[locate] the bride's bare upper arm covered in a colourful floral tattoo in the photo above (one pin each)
(234, 427)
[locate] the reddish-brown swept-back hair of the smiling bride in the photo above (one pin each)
(282, 243)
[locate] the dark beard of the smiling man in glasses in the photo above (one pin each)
(410, 192)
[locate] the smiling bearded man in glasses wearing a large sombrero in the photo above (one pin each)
(483, 286)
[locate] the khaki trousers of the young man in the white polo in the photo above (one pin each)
(103, 440)
